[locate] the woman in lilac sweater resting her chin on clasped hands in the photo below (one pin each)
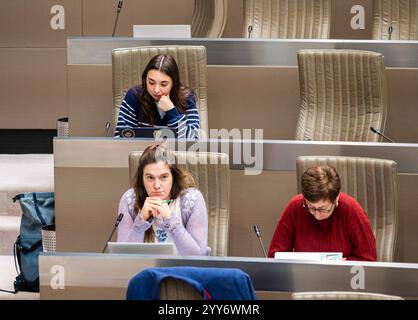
(164, 206)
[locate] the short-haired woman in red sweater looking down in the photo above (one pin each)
(323, 219)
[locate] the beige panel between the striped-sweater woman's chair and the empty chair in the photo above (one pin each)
(254, 97)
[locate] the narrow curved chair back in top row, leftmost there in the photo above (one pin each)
(209, 18)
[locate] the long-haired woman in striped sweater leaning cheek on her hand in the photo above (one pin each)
(161, 100)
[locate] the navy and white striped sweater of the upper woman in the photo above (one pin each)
(131, 115)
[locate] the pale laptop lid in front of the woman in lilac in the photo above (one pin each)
(141, 247)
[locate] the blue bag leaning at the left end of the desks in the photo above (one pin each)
(38, 210)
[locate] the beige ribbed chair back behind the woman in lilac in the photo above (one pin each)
(211, 173)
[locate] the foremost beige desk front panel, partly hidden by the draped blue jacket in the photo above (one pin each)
(106, 276)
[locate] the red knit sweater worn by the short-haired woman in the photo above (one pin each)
(347, 230)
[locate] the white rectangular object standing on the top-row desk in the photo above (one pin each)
(162, 31)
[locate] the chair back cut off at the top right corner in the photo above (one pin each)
(400, 15)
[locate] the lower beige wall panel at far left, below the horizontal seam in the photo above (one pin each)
(32, 87)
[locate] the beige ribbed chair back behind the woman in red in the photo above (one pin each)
(372, 182)
